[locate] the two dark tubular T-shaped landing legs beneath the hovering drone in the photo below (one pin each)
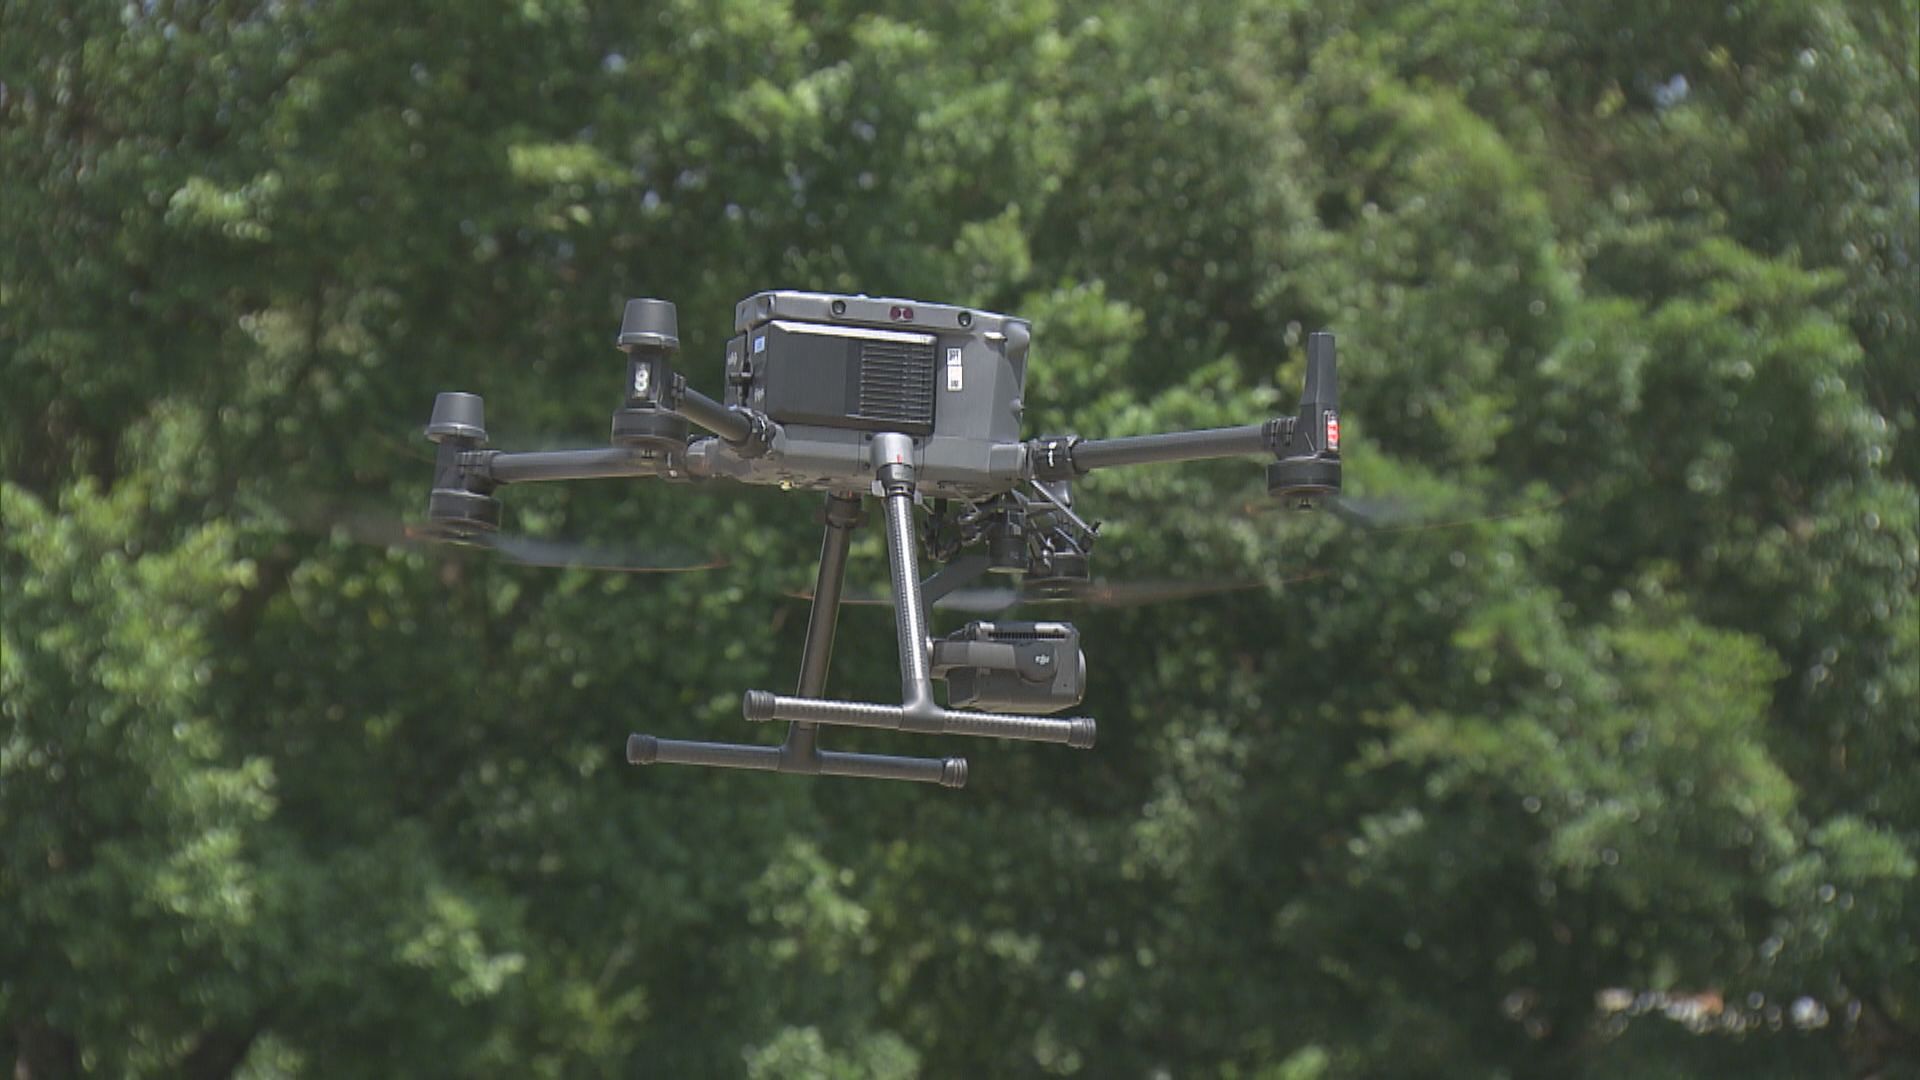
(917, 714)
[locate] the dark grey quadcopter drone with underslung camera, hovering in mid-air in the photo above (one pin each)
(921, 408)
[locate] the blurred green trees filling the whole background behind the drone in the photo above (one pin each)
(1598, 760)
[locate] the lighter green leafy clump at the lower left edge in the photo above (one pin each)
(128, 822)
